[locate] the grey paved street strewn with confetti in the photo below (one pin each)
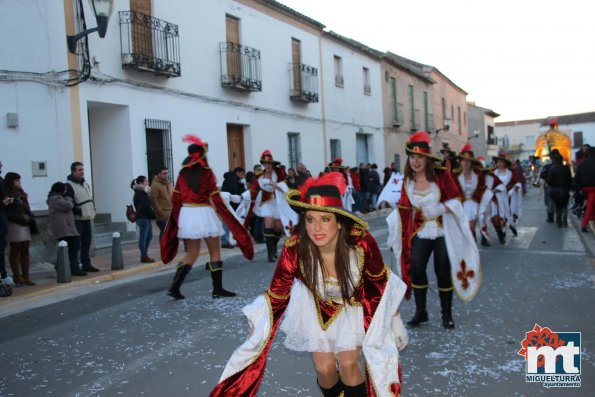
(129, 339)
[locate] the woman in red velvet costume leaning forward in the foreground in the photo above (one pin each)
(339, 300)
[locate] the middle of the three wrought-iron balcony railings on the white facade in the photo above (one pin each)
(240, 67)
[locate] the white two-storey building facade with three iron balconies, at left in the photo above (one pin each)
(130, 116)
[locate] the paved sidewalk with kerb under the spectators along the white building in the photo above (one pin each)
(44, 275)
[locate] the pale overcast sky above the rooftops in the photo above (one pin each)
(523, 59)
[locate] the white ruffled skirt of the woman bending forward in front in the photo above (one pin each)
(304, 333)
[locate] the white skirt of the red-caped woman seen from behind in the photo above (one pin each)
(199, 222)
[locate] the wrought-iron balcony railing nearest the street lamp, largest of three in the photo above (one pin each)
(149, 44)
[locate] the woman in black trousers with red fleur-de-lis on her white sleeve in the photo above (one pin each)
(430, 219)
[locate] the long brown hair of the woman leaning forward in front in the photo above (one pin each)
(310, 257)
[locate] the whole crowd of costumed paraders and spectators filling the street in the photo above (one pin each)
(331, 293)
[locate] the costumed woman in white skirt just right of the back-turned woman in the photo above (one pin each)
(266, 191)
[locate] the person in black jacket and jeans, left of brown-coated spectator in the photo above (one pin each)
(144, 216)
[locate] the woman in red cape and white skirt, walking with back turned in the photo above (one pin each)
(195, 201)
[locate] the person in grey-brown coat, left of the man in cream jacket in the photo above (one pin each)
(62, 224)
